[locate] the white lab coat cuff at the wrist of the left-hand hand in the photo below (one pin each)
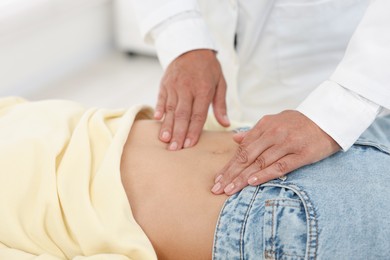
(181, 37)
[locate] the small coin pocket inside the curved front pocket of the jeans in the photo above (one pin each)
(285, 230)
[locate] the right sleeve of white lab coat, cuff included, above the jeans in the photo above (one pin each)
(346, 105)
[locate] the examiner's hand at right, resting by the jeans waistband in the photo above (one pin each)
(277, 145)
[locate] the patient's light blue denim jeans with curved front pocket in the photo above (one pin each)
(338, 208)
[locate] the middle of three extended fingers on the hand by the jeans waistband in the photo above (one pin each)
(264, 160)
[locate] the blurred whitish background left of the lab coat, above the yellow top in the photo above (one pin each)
(89, 51)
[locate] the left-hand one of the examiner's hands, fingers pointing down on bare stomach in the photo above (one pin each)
(190, 84)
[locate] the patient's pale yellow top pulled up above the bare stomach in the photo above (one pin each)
(61, 195)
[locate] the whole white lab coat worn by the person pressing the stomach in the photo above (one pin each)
(329, 59)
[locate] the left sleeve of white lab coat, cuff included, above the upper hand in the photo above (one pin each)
(174, 26)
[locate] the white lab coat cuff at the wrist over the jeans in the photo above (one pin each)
(341, 113)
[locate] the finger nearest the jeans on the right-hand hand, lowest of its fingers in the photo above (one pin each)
(277, 169)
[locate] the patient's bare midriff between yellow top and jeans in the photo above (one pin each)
(169, 192)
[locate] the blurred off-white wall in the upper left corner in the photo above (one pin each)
(44, 40)
